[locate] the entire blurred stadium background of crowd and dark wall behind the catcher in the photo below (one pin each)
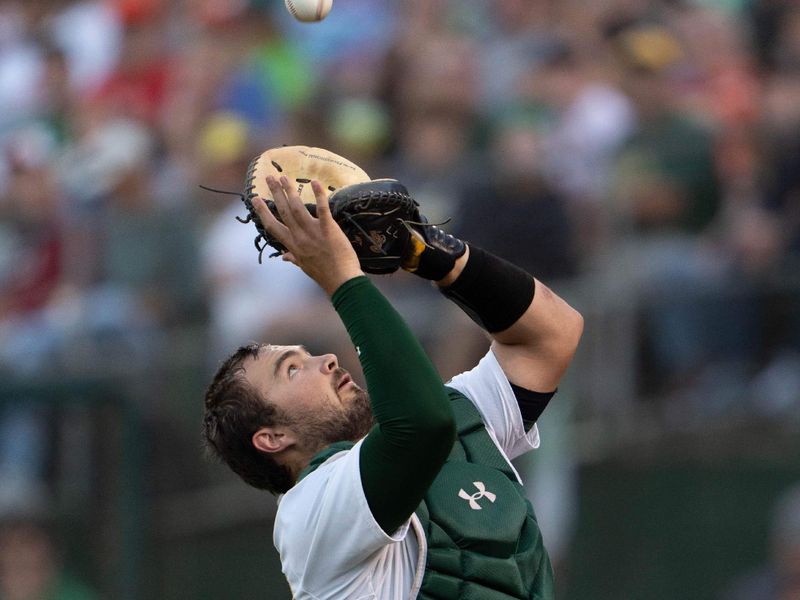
(641, 157)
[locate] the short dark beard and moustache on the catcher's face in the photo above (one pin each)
(350, 421)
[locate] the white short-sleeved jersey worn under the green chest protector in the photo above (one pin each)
(330, 545)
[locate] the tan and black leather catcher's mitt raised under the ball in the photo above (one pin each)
(374, 214)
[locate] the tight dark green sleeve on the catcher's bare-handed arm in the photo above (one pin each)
(415, 427)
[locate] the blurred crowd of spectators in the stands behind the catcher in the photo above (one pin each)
(645, 153)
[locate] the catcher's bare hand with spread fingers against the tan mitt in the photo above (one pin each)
(315, 244)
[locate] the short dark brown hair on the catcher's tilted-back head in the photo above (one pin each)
(234, 411)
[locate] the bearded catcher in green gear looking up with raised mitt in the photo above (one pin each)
(403, 489)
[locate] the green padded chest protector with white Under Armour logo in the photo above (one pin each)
(483, 541)
